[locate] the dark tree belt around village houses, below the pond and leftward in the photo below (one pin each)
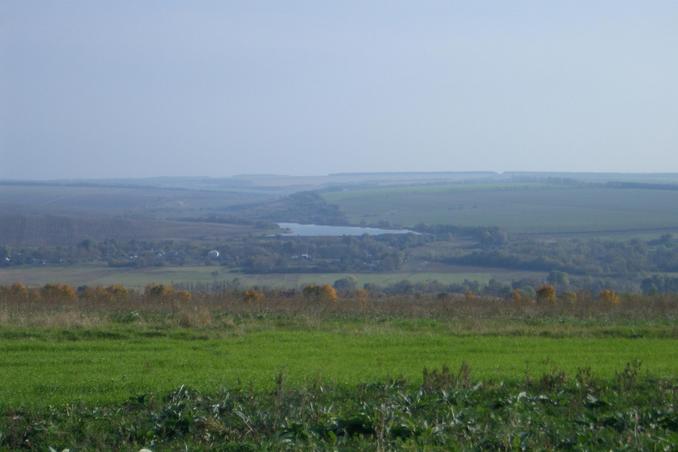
(251, 254)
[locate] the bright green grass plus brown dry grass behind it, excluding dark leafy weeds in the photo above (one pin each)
(105, 347)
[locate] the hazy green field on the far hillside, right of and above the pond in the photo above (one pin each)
(516, 208)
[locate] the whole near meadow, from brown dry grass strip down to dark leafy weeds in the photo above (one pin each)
(169, 370)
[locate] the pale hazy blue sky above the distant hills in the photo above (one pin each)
(99, 89)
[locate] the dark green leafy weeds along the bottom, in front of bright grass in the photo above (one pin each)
(447, 411)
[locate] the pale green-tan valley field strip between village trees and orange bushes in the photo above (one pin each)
(139, 277)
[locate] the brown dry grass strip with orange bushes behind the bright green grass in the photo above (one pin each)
(61, 306)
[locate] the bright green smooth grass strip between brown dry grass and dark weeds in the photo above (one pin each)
(107, 365)
